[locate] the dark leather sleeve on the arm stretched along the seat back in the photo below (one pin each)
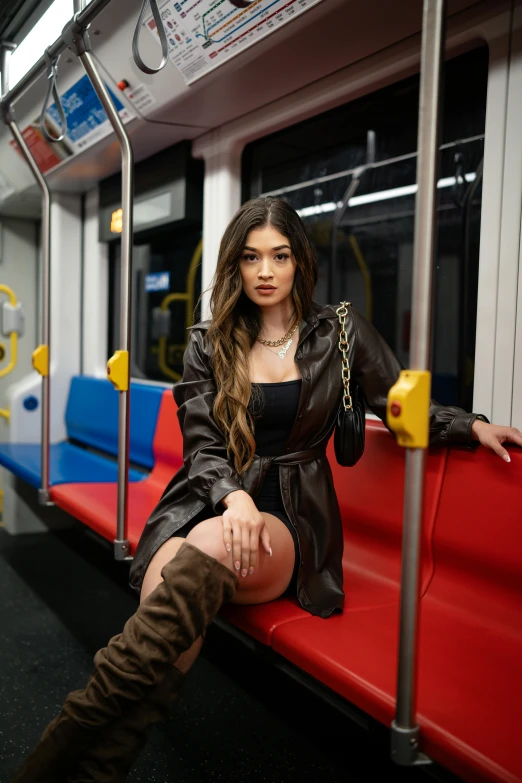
(375, 368)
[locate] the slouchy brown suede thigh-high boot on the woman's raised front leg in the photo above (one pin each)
(135, 662)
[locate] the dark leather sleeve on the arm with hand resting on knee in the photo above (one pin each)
(210, 474)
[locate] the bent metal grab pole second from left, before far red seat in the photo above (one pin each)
(118, 366)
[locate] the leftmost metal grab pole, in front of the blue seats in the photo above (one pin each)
(41, 357)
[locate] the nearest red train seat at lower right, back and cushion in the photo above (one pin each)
(470, 633)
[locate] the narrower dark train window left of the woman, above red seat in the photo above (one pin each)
(166, 275)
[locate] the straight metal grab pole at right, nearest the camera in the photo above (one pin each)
(405, 732)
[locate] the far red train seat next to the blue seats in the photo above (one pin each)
(96, 504)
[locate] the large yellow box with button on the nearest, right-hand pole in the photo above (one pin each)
(408, 408)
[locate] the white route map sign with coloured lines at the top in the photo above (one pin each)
(203, 34)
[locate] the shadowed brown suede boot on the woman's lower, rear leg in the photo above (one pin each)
(112, 757)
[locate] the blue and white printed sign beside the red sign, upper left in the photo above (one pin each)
(87, 121)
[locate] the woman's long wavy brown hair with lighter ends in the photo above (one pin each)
(236, 320)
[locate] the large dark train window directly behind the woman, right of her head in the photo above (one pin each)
(369, 263)
